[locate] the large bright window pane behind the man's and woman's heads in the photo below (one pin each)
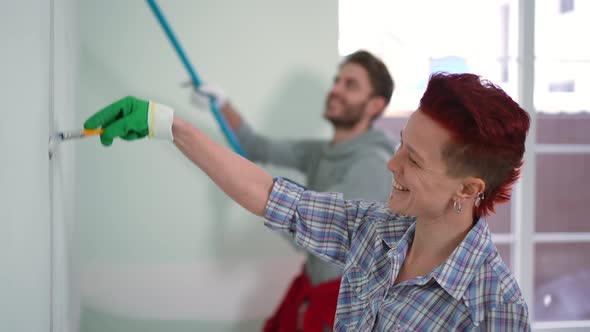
(417, 38)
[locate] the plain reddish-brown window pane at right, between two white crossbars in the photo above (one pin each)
(562, 202)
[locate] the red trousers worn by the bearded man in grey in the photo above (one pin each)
(321, 303)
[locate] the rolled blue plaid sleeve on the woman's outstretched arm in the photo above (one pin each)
(323, 223)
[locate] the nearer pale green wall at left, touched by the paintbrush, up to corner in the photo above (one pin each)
(37, 88)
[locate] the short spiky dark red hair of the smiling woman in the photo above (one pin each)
(488, 131)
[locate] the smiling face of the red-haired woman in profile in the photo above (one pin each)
(421, 185)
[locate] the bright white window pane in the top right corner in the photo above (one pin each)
(562, 68)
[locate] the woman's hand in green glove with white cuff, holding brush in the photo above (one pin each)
(131, 118)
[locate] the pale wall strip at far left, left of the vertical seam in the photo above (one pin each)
(25, 253)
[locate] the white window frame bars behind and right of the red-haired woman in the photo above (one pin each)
(523, 238)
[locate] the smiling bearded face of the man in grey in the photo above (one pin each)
(348, 98)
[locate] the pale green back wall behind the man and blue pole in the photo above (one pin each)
(160, 247)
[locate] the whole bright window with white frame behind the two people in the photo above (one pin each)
(420, 37)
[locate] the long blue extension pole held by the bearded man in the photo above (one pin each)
(229, 134)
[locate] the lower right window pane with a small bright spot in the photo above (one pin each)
(562, 281)
